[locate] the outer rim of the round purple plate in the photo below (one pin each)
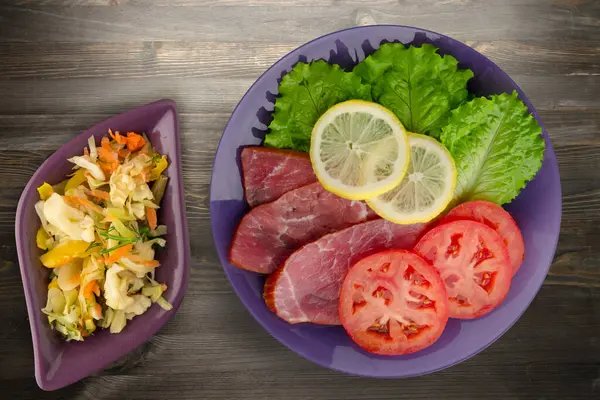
(224, 259)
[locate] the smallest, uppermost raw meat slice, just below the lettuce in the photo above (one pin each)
(269, 173)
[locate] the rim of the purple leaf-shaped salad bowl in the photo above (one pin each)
(24, 261)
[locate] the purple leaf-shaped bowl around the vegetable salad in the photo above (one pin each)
(58, 363)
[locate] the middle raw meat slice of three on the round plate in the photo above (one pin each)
(269, 233)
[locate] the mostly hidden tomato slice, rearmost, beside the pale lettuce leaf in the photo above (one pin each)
(496, 218)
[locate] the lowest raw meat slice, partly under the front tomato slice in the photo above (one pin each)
(307, 287)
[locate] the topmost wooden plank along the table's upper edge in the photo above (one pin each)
(510, 20)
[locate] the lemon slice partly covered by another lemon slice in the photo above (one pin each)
(427, 187)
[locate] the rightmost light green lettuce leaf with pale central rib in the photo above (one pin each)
(496, 145)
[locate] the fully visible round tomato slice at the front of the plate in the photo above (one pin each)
(393, 303)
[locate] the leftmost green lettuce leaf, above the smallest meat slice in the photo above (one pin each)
(305, 93)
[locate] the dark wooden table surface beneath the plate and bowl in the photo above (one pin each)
(68, 64)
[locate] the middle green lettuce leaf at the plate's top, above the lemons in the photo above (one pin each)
(417, 84)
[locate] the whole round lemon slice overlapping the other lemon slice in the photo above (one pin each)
(359, 150)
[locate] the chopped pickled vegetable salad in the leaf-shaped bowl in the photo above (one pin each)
(100, 229)
